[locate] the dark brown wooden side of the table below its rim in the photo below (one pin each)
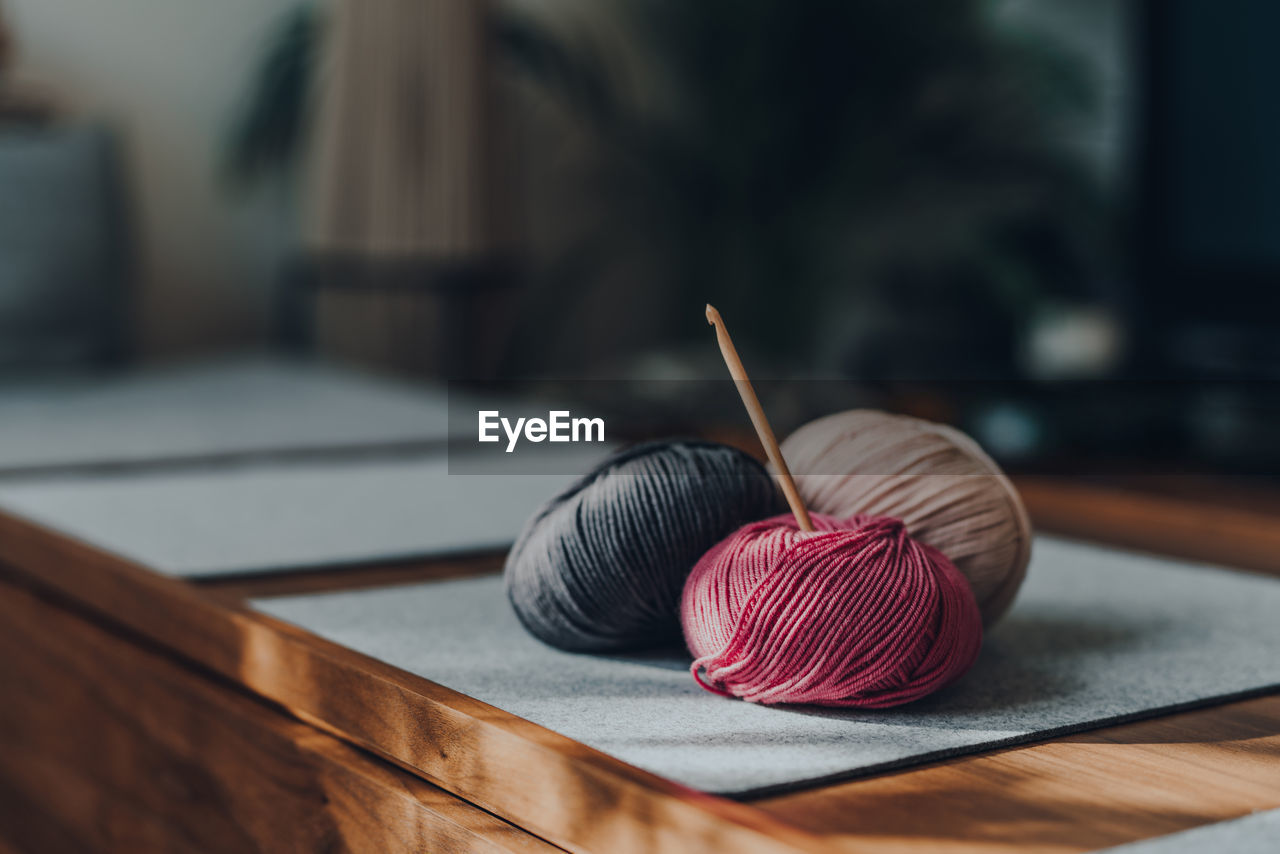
(109, 746)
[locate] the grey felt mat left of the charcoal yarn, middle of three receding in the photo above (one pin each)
(263, 518)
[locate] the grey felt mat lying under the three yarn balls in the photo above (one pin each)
(1098, 636)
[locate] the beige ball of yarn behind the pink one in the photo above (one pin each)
(932, 477)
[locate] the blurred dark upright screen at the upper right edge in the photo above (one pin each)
(1210, 207)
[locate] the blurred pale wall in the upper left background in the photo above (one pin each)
(170, 75)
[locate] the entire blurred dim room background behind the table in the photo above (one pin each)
(1053, 222)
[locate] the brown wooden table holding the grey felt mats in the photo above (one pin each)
(145, 714)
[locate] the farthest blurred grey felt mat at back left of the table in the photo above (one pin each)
(208, 410)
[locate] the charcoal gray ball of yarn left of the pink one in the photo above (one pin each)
(602, 565)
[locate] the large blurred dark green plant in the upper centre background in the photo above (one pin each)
(810, 149)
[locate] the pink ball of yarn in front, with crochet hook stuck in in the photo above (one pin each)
(854, 614)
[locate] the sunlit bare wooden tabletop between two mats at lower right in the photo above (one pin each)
(1072, 794)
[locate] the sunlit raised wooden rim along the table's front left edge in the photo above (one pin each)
(556, 788)
